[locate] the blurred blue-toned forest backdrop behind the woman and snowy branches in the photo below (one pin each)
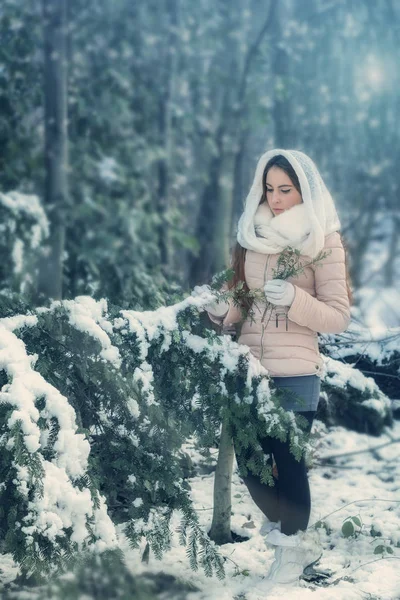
(134, 128)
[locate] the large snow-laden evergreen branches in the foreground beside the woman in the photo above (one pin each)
(134, 385)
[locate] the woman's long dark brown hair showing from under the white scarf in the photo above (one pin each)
(239, 253)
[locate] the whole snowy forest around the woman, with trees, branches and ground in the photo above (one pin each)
(129, 136)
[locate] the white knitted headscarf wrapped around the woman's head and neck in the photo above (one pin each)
(303, 226)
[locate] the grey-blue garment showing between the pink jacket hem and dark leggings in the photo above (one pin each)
(306, 388)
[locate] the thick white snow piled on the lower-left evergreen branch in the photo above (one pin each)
(40, 420)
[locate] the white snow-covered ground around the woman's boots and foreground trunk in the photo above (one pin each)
(368, 480)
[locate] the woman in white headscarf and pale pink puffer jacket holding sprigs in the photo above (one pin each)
(288, 205)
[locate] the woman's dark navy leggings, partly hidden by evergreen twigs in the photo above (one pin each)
(289, 499)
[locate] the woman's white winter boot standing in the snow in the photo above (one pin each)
(293, 553)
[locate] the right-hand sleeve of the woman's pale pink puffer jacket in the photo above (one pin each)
(329, 311)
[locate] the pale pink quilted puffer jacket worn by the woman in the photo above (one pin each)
(287, 343)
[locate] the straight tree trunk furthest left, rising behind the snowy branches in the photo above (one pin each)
(56, 145)
